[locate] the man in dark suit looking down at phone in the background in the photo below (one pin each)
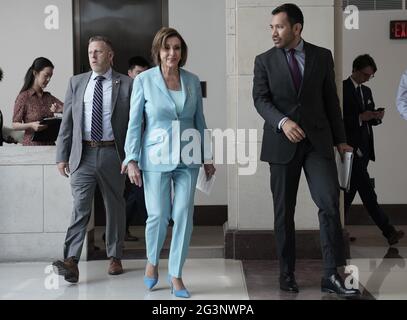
(360, 115)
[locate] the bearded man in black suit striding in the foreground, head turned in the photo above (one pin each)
(295, 93)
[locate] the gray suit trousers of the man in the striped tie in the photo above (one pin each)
(100, 165)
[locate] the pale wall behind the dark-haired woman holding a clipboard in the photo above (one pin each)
(25, 37)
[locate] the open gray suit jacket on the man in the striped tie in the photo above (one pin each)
(69, 142)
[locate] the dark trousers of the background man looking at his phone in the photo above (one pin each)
(360, 182)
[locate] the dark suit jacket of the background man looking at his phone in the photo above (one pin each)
(355, 133)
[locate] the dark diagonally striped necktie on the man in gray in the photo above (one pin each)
(96, 132)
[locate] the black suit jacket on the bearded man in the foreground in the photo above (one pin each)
(315, 108)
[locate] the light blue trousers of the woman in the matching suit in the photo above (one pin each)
(157, 191)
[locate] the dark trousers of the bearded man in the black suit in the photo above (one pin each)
(322, 180)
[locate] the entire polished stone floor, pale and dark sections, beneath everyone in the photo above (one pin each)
(381, 271)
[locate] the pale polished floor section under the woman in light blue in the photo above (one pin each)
(206, 279)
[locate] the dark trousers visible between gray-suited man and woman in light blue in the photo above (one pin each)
(136, 211)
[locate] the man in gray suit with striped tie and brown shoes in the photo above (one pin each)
(90, 147)
